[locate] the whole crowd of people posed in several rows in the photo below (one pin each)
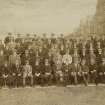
(51, 61)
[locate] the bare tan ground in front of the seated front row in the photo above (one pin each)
(93, 95)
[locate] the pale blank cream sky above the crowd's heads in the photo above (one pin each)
(43, 16)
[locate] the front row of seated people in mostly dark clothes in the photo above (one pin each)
(47, 74)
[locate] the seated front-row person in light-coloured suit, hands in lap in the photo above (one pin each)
(27, 73)
